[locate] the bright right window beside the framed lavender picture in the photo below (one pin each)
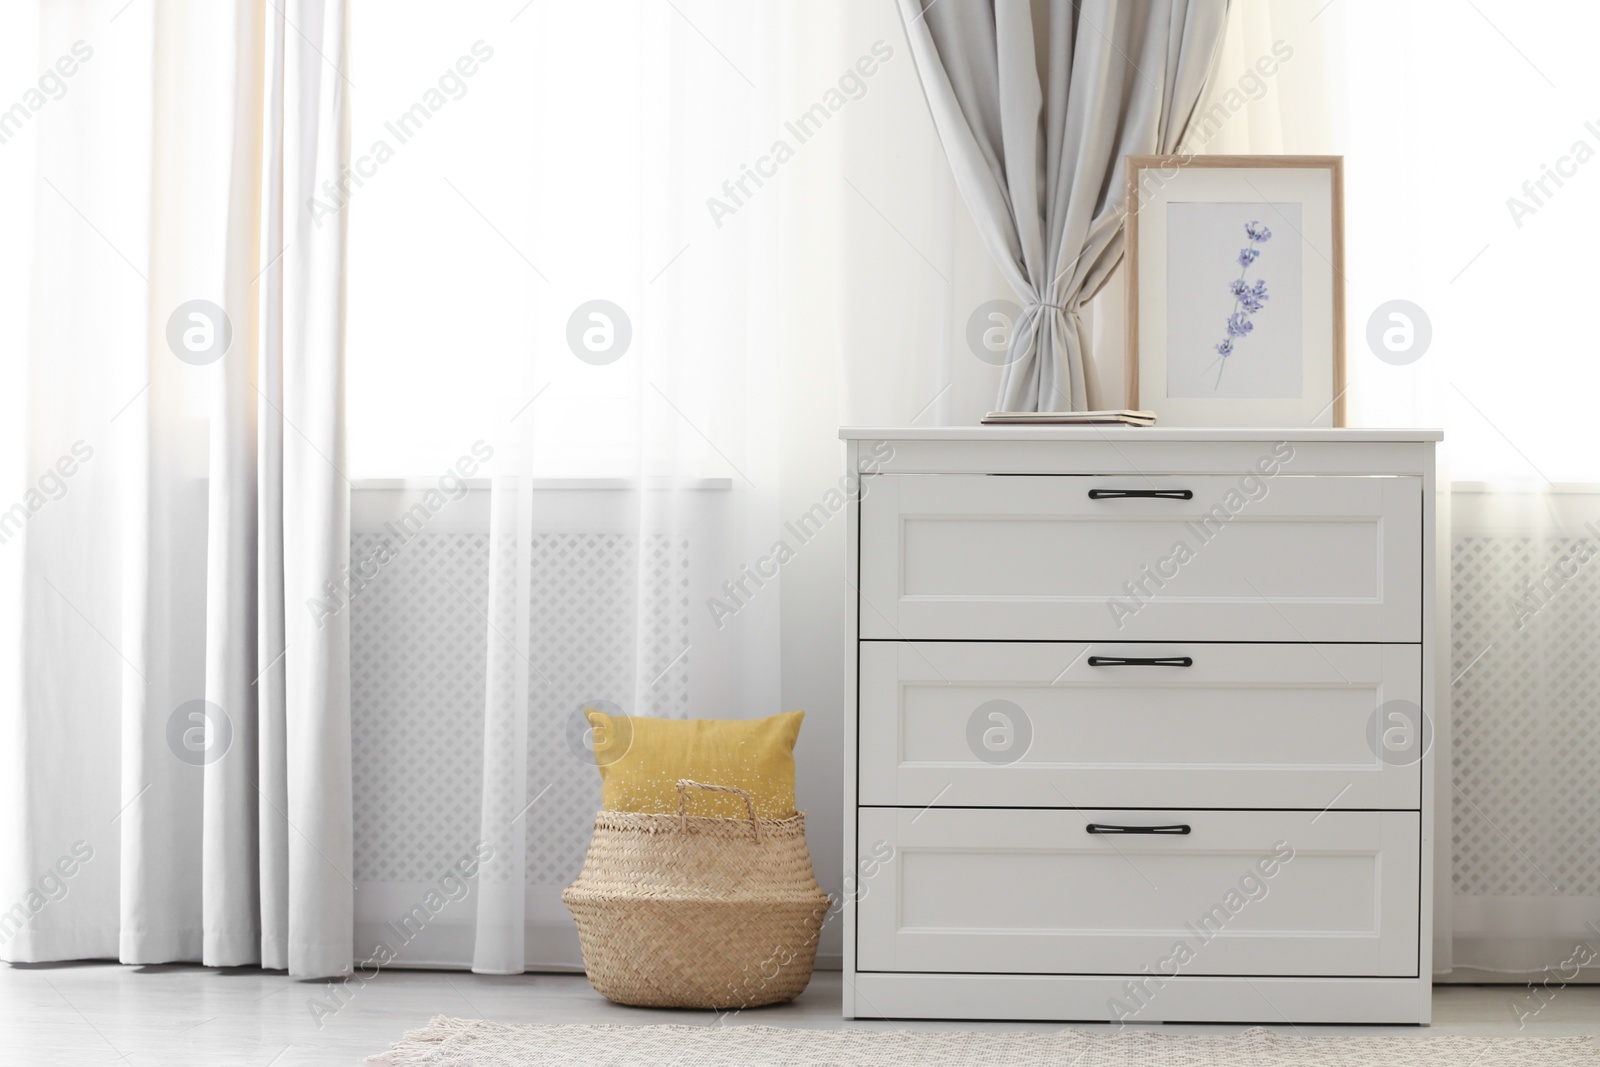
(1473, 167)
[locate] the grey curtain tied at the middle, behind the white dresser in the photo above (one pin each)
(1038, 103)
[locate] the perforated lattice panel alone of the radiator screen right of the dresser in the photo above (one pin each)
(1527, 719)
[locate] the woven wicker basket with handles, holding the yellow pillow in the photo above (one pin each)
(692, 913)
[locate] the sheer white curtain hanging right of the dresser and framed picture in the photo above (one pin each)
(1486, 247)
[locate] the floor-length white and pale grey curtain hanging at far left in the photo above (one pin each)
(175, 703)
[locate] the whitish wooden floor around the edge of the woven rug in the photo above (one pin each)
(105, 1013)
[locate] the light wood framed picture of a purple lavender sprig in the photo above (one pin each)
(1236, 289)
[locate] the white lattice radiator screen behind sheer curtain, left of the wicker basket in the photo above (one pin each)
(418, 650)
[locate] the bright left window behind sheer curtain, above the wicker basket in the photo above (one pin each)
(514, 167)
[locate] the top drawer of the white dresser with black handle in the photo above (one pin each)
(1070, 557)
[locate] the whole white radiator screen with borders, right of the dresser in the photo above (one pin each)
(1526, 722)
